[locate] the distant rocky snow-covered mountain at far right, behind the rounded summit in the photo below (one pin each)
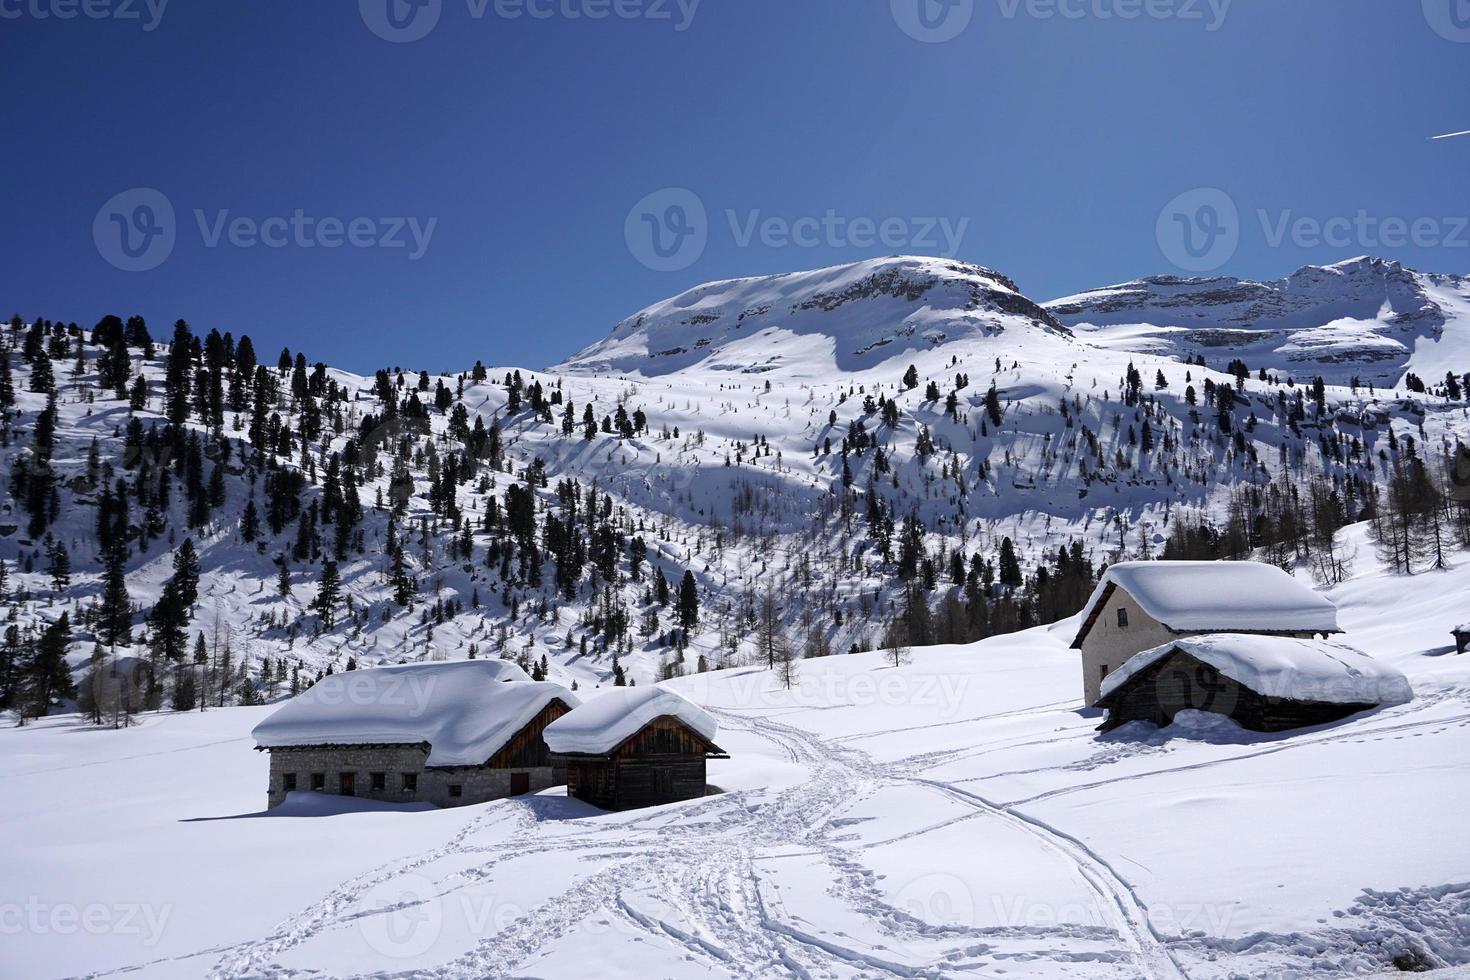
(1365, 318)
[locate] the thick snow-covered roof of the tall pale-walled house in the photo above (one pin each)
(1218, 597)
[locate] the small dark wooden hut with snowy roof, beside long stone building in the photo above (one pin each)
(634, 747)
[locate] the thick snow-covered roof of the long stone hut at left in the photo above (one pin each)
(465, 710)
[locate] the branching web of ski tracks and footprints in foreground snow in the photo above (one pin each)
(708, 869)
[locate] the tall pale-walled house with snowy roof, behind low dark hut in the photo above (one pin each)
(1143, 605)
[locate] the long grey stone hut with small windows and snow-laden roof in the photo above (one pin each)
(448, 734)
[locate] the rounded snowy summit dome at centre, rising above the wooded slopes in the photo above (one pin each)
(821, 324)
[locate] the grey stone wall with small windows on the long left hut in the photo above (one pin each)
(323, 769)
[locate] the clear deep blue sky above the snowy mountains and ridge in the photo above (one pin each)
(1058, 139)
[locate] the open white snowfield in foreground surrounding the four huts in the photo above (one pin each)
(956, 816)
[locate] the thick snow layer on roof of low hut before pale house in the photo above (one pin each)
(1283, 668)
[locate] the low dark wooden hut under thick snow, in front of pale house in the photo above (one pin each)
(1266, 684)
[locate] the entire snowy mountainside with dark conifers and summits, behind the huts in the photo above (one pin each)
(842, 437)
